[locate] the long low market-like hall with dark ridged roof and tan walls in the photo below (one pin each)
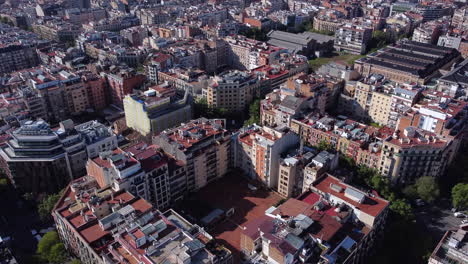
(408, 62)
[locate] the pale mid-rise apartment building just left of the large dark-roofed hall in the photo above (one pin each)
(352, 38)
